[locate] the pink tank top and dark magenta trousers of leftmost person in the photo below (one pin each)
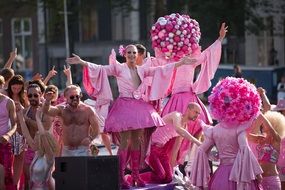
(6, 155)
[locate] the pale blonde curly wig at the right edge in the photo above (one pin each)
(277, 121)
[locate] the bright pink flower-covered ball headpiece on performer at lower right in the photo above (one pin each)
(234, 101)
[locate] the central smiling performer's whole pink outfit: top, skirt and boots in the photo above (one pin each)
(130, 111)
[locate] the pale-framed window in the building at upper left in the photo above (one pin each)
(22, 40)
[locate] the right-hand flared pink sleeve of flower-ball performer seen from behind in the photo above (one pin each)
(246, 166)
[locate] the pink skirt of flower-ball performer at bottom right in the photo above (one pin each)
(220, 180)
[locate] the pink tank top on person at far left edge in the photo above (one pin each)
(4, 116)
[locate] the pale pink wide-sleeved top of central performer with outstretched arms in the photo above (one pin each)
(96, 82)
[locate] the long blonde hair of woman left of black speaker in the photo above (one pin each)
(47, 143)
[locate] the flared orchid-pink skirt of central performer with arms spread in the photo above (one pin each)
(131, 114)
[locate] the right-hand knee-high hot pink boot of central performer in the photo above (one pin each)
(135, 160)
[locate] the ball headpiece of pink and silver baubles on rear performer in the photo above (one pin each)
(176, 35)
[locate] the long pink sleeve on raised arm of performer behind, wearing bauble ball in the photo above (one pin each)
(209, 60)
